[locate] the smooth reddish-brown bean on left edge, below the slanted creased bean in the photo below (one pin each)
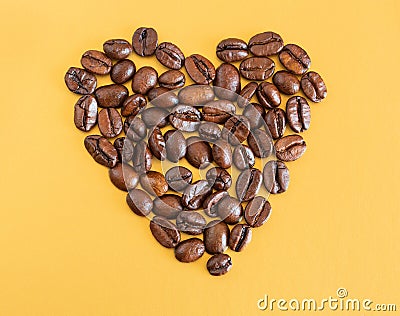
(123, 176)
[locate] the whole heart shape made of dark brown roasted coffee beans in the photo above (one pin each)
(213, 121)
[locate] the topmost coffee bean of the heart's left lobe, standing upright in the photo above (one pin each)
(144, 41)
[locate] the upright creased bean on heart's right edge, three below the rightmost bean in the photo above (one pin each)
(276, 177)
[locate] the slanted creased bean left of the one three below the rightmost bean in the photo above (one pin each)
(248, 184)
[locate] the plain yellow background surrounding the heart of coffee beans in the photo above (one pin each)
(70, 246)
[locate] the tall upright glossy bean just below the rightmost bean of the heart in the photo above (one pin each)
(298, 114)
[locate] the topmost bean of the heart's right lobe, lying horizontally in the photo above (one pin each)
(265, 44)
